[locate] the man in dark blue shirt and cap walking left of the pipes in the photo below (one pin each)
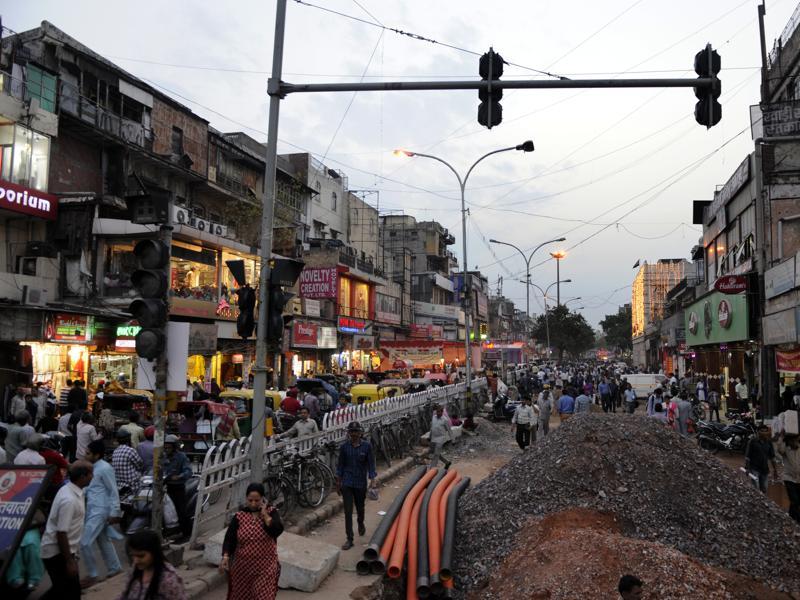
(356, 463)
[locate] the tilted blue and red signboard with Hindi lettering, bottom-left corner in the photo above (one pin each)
(21, 488)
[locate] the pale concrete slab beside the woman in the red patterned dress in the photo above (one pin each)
(305, 563)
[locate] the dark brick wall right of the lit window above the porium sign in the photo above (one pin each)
(75, 166)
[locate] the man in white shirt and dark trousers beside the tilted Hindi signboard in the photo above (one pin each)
(62, 534)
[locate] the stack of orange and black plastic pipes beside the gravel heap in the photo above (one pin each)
(419, 529)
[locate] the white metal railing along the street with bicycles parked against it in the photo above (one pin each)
(225, 473)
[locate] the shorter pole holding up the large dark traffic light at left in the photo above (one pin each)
(159, 400)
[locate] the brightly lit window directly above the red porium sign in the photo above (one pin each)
(24, 156)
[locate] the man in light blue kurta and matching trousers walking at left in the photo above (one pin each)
(102, 511)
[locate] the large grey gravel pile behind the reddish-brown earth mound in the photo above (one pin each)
(661, 487)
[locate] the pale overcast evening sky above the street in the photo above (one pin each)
(614, 171)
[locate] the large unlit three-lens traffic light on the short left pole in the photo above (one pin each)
(151, 283)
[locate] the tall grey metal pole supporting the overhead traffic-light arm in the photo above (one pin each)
(260, 368)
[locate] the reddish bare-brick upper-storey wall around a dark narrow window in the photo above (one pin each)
(195, 134)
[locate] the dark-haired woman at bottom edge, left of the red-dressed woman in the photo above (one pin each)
(152, 578)
